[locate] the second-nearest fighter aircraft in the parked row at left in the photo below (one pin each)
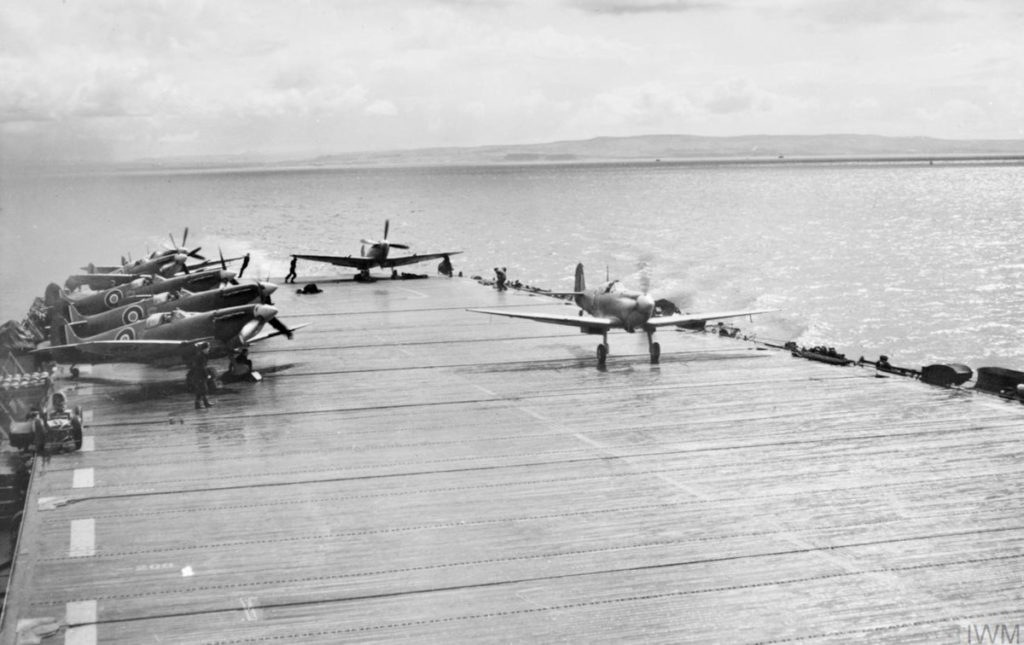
(228, 296)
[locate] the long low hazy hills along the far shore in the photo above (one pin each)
(663, 148)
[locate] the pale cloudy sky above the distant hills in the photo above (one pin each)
(120, 80)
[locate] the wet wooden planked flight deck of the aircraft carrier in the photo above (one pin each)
(410, 471)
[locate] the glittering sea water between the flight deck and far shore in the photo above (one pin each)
(918, 262)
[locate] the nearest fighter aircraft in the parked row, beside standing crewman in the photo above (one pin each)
(168, 338)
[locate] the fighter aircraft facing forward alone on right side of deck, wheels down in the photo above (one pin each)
(613, 307)
